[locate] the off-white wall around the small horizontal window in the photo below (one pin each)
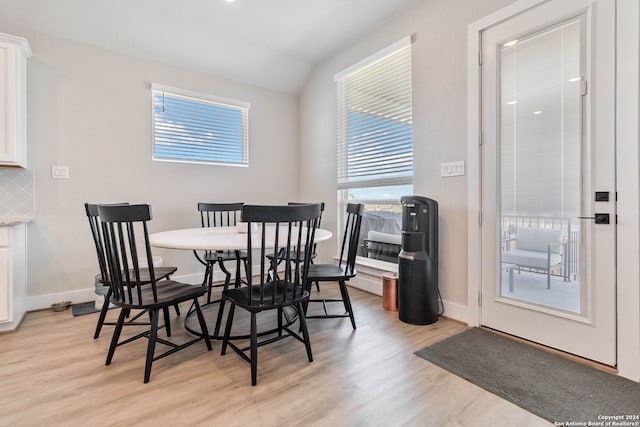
(90, 109)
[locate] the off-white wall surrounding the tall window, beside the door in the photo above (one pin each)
(439, 115)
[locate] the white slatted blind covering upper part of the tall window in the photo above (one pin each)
(375, 128)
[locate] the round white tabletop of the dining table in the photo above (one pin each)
(214, 238)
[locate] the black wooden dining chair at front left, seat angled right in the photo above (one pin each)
(126, 238)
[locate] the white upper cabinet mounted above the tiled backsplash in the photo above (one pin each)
(14, 52)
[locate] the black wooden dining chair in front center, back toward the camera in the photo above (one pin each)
(289, 230)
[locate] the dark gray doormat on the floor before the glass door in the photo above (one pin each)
(548, 385)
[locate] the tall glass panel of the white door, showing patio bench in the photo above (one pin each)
(542, 158)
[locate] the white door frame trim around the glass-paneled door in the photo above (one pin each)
(627, 175)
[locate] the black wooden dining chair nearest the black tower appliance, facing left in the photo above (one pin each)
(344, 270)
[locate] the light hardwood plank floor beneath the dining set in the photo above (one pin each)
(52, 373)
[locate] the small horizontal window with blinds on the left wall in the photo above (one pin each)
(198, 128)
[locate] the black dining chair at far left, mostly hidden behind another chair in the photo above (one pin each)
(160, 272)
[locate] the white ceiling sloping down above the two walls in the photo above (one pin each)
(269, 43)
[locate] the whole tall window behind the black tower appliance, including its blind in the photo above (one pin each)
(375, 146)
